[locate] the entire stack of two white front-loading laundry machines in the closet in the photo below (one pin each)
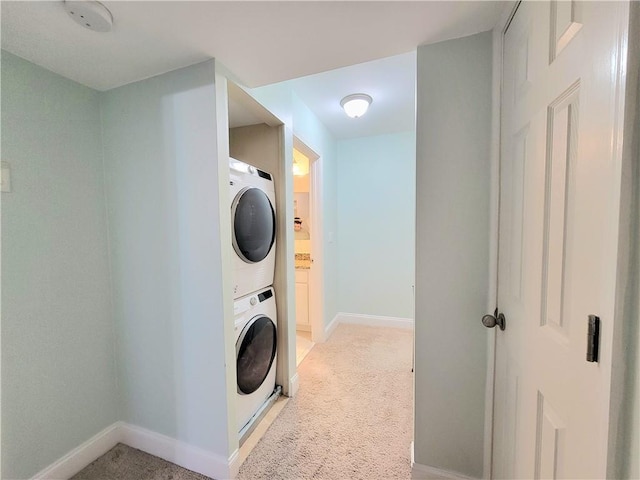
(253, 217)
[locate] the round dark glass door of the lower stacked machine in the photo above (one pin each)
(255, 351)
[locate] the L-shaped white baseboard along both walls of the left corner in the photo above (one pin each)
(182, 454)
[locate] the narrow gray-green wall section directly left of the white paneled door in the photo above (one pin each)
(452, 251)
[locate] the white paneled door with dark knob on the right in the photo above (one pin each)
(559, 208)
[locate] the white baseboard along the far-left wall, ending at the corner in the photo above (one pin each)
(82, 455)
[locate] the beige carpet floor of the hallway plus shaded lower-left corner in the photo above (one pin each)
(351, 419)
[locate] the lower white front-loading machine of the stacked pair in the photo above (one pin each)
(256, 341)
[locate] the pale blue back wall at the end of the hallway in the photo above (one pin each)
(376, 225)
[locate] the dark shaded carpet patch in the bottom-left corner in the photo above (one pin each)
(126, 463)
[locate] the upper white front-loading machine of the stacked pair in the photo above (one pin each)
(253, 227)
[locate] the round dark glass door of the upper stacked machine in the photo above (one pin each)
(254, 224)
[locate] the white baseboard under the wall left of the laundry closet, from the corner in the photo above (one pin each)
(175, 451)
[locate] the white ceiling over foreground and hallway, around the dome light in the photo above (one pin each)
(261, 42)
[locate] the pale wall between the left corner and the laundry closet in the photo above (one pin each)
(164, 219)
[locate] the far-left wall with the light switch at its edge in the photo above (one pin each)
(58, 367)
